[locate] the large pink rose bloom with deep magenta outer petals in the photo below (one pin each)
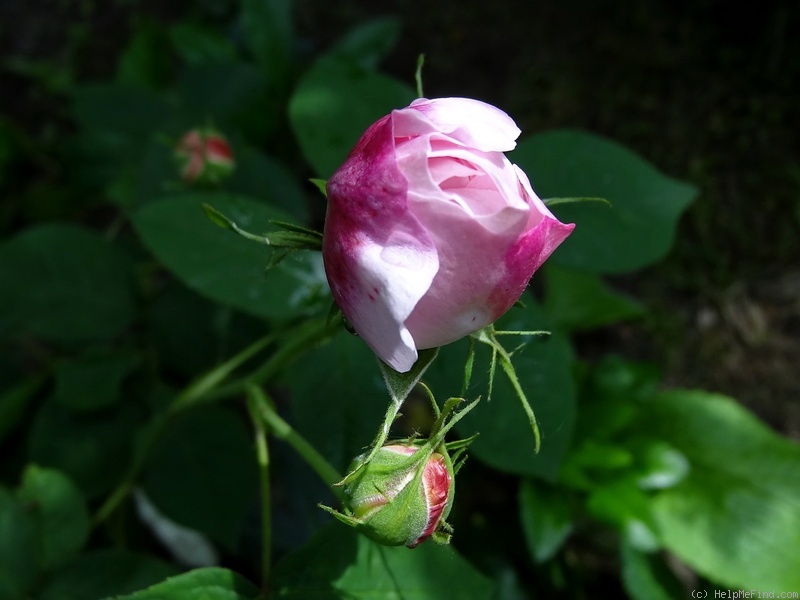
(431, 233)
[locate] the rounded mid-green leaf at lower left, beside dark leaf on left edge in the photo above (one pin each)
(60, 513)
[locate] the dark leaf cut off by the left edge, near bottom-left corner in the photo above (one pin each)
(18, 548)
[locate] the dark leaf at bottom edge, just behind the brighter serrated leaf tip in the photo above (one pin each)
(103, 573)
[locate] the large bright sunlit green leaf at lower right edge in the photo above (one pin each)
(736, 517)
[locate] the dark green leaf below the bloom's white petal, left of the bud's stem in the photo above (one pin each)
(338, 398)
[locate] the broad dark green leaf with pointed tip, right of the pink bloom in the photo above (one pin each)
(639, 228)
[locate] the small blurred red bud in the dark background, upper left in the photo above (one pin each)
(204, 156)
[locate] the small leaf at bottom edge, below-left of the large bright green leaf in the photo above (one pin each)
(646, 577)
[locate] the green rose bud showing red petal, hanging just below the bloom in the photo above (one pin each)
(397, 502)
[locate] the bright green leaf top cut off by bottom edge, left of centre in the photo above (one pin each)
(212, 583)
